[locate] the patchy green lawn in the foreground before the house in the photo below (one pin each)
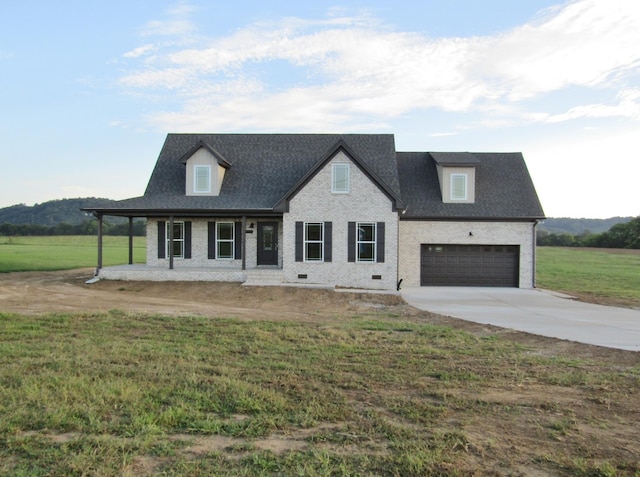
(116, 394)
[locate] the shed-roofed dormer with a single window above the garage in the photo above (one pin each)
(457, 176)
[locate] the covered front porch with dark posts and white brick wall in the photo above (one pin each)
(252, 247)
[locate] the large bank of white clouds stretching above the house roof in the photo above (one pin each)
(355, 70)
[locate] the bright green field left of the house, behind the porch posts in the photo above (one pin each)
(65, 252)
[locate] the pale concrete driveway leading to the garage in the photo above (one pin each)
(534, 311)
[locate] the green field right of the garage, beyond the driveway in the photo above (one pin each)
(596, 272)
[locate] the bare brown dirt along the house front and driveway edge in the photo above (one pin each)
(602, 424)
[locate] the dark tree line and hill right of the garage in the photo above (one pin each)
(623, 235)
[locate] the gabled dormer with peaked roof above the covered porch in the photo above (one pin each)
(205, 170)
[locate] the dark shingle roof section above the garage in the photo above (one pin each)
(504, 189)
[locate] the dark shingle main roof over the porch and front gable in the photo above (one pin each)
(264, 167)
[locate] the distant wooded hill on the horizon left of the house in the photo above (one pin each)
(50, 213)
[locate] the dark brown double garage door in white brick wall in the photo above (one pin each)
(469, 265)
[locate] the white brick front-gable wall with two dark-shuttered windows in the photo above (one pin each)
(364, 203)
